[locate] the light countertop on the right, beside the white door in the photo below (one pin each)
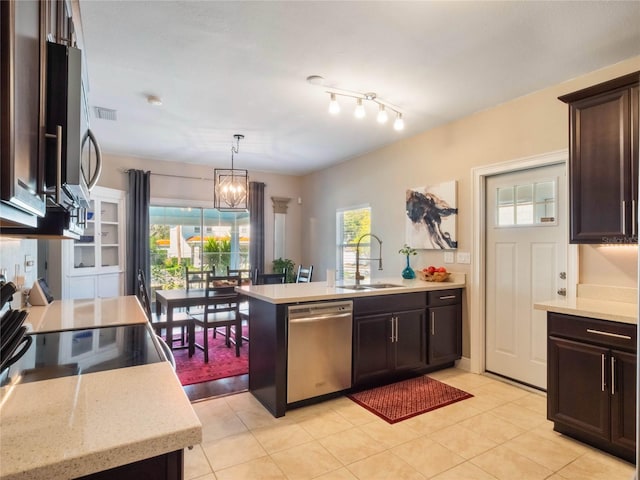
(624, 312)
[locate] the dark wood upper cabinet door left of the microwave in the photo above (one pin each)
(22, 26)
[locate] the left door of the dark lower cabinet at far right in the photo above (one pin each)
(577, 393)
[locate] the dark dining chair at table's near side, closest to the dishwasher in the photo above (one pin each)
(221, 310)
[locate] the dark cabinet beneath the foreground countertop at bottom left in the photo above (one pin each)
(169, 466)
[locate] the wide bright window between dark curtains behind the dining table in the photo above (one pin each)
(176, 242)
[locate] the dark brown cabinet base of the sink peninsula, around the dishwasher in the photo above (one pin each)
(428, 339)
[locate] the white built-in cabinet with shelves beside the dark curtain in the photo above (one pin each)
(93, 266)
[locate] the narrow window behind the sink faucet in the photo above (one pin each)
(351, 224)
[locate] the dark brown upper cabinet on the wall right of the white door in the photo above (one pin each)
(603, 162)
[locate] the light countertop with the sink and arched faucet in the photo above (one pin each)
(315, 291)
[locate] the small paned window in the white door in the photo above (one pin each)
(529, 204)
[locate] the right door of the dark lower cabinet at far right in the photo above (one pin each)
(623, 399)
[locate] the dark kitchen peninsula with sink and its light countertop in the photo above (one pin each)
(399, 327)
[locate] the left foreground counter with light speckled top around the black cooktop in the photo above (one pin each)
(97, 422)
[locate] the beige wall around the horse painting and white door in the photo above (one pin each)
(530, 125)
